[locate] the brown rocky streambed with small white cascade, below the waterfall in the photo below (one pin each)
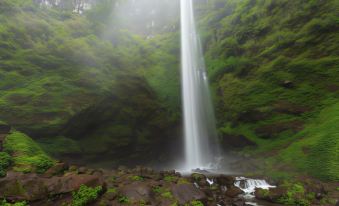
(138, 186)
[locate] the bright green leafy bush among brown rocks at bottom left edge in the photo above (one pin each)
(85, 195)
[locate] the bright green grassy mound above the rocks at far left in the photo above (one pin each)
(27, 155)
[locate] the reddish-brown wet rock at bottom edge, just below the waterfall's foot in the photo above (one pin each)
(185, 193)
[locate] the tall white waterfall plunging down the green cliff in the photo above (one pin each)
(198, 114)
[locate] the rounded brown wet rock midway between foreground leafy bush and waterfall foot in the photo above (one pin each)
(137, 191)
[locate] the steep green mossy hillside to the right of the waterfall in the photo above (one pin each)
(274, 66)
